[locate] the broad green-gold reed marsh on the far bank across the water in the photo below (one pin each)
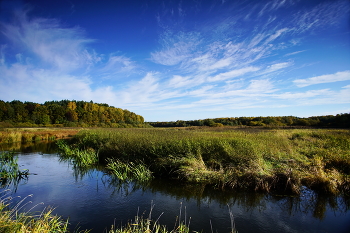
(257, 159)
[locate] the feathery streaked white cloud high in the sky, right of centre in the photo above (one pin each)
(194, 54)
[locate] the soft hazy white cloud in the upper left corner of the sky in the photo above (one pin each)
(61, 48)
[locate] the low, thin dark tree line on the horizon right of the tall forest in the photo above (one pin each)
(337, 121)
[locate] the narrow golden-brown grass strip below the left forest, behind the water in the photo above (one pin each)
(11, 135)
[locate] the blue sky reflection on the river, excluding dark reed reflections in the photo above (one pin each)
(94, 203)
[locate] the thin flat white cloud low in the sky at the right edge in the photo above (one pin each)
(328, 78)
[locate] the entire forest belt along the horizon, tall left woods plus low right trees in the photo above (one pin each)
(71, 113)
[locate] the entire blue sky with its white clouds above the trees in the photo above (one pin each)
(180, 60)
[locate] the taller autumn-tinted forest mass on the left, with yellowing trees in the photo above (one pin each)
(66, 113)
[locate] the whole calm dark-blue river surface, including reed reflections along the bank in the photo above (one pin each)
(93, 200)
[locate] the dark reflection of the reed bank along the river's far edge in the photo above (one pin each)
(308, 202)
